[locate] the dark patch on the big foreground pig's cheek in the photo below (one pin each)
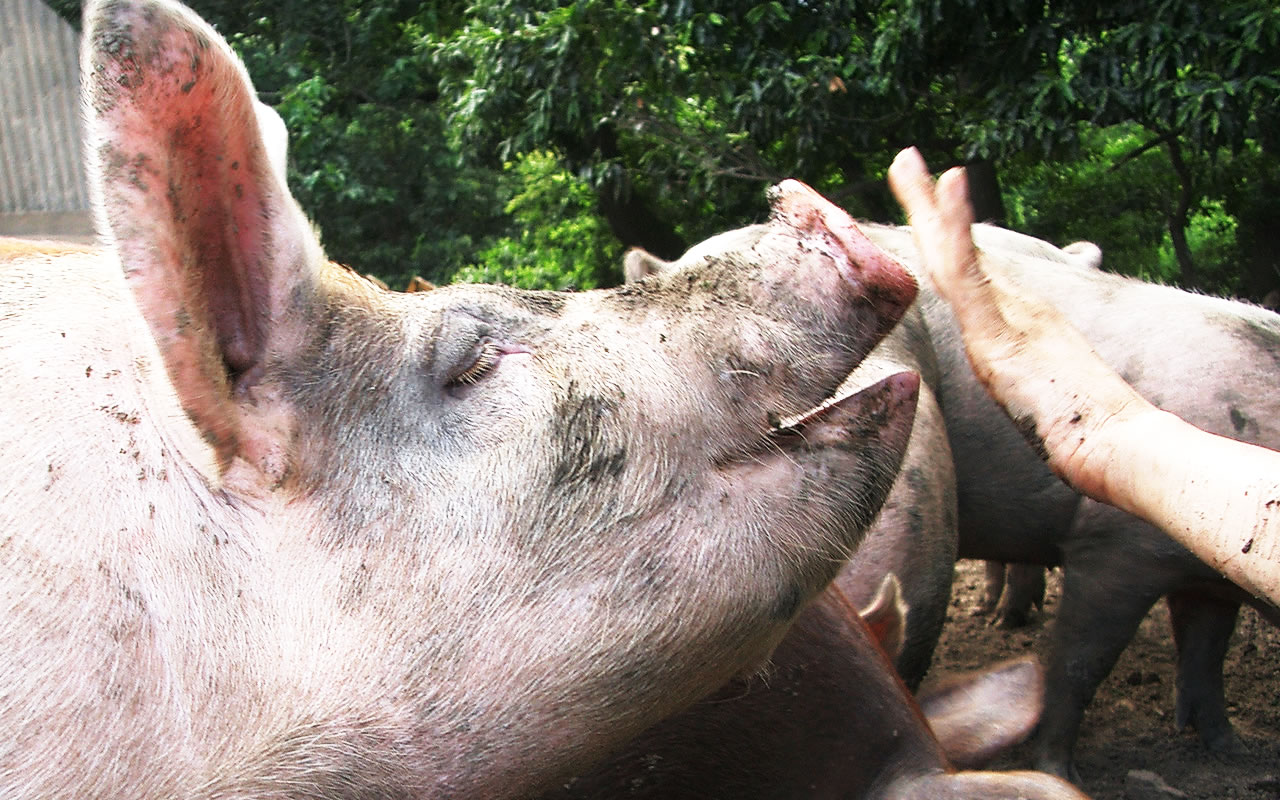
(588, 451)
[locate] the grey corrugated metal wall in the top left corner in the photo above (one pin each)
(42, 168)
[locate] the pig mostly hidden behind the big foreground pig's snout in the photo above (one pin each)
(915, 537)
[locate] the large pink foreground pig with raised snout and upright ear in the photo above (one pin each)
(268, 531)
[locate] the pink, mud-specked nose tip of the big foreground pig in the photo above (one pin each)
(870, 271)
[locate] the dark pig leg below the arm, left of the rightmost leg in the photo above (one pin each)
(1100, 612)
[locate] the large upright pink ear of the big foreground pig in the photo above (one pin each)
(221, 259)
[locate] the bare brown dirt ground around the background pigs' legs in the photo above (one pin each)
(1128, 748)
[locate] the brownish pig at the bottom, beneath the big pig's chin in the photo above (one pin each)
(830, 719)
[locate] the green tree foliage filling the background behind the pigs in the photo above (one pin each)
(519, 140)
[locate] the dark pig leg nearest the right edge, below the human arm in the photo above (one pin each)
(1203, 630)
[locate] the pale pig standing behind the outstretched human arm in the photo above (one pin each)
(1210, 362)
